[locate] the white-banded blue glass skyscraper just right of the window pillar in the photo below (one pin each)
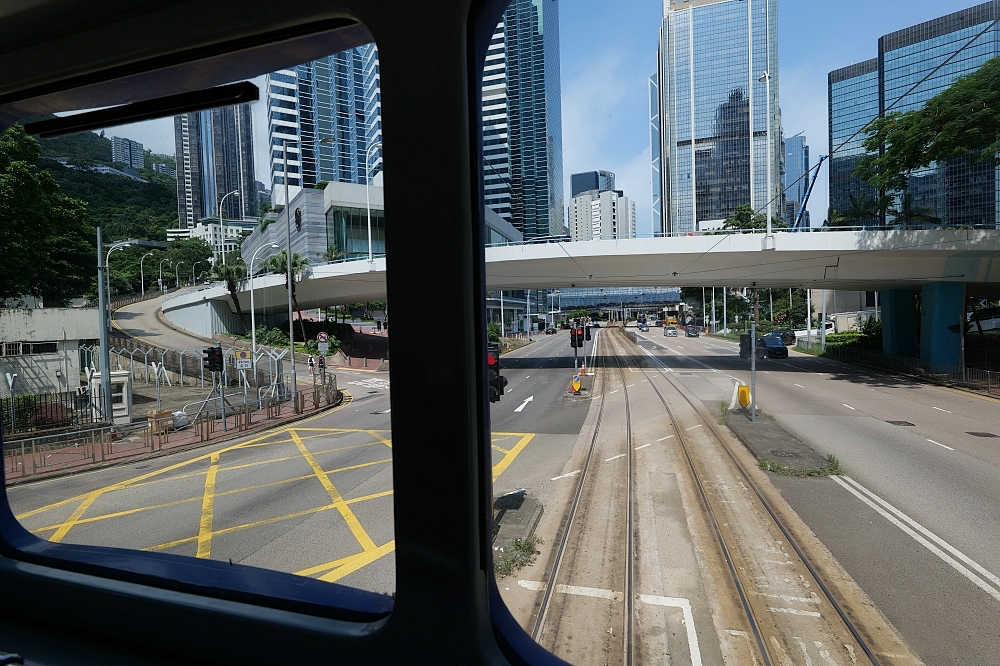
(522, 119)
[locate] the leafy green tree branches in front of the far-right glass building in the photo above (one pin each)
(962, 121)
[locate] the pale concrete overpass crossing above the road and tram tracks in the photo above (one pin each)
(944, 265)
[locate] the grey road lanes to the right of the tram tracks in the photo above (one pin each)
(931, 565)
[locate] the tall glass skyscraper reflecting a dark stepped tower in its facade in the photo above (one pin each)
(712, 96)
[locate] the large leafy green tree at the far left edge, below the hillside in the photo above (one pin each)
(49, 251)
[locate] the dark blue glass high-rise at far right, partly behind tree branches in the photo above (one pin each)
(962, 191)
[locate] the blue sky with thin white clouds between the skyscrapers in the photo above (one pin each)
(608, 52)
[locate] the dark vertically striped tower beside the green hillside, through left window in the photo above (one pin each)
(214, 153)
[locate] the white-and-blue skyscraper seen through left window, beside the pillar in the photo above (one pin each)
(334, 98)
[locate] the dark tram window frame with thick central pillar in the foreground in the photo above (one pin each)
(463, 607)
